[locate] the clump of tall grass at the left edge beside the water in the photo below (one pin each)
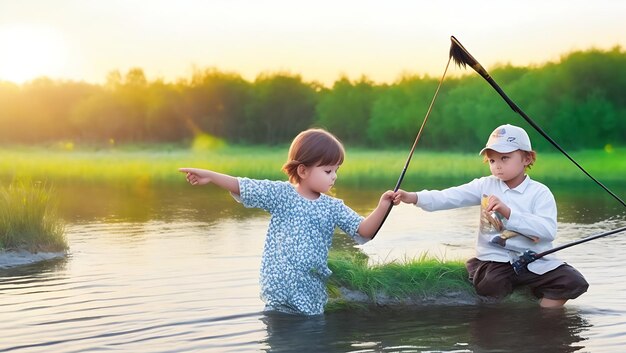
(28, 218)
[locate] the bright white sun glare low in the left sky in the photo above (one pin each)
(28, 52)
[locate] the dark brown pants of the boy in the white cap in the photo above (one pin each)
(498, 279)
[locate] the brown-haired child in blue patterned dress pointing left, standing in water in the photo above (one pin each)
(294, 266)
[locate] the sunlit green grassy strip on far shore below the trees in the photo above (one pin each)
(362, 167)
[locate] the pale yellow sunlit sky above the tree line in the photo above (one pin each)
(320, 40)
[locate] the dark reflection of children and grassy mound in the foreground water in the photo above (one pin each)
(431, 328)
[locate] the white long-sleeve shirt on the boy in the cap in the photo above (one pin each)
(533, 213)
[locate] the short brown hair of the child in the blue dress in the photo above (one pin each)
(312, 147)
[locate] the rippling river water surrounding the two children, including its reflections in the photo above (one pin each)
(176, 270)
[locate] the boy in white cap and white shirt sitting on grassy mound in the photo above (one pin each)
(517, 213)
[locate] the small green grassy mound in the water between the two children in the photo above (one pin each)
(355, 284)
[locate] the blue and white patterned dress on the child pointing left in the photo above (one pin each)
(294, 267)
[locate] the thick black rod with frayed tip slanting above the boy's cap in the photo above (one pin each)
(462, 57)
